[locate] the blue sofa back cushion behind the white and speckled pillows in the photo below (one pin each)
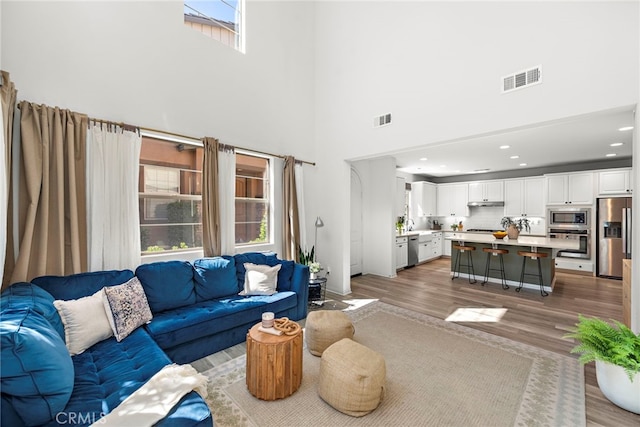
(81, 285)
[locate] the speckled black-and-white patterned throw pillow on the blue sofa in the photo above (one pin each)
(127, 307)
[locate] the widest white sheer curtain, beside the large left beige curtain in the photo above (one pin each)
(113, 162)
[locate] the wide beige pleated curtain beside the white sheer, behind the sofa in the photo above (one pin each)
(52, 206)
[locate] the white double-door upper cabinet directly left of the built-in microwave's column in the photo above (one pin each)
(524, 197)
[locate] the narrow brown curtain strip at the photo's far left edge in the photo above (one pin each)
(8, 96)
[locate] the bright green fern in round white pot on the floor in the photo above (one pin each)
(616, 352)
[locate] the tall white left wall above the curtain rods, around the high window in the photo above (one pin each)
(137, 62)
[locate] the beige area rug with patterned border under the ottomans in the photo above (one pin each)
(438, 374)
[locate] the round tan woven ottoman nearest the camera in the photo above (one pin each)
(352, 378)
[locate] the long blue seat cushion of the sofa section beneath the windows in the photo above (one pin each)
(175, 327)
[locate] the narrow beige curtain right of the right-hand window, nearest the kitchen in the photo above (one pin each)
(291, 226)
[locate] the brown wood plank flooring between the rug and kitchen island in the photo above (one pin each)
(530, 318)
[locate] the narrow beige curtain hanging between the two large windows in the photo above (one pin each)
(211, 240)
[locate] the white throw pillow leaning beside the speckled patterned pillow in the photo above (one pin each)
(85, 322)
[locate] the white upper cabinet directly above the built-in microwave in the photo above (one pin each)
(570, 189)
